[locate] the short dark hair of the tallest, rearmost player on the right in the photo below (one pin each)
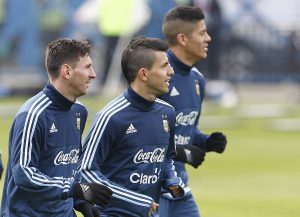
(180, 19)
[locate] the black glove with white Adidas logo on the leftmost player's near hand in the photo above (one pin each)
(92, 192)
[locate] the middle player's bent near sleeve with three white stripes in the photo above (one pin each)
(97, 146)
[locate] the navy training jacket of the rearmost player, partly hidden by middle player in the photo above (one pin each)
(186, 93)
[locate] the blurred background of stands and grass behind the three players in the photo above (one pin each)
(253, 91)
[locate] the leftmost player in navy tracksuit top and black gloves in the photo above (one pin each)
(45, 140)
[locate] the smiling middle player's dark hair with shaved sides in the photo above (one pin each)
(140, 53)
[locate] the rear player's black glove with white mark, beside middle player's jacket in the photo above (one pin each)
(190, 154)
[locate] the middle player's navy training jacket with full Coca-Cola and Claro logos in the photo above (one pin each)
(129, 148)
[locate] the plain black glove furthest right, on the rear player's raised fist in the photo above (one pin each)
(216, 142)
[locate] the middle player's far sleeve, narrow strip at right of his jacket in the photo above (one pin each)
(170, 177)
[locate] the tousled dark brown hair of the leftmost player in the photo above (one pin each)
(65, 50)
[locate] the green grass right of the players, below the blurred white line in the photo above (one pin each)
(258, 175)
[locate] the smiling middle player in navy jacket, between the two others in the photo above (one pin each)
(130, 144)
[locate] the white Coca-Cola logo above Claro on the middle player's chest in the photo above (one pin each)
(157, 155)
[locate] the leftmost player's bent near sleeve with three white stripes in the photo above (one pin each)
(27, 137)
